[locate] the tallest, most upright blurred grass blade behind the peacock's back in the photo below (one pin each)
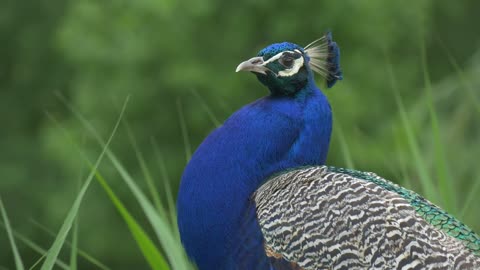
(446, 187)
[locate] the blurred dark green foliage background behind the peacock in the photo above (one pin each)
(173, 56)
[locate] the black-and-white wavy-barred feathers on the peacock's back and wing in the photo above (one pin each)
(326, 218)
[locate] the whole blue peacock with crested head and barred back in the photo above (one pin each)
(257, 194)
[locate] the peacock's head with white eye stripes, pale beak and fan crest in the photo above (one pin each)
(286, 68)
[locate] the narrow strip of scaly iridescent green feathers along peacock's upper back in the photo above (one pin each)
(430, 212)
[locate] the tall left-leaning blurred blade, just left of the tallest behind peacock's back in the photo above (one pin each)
(425, 179)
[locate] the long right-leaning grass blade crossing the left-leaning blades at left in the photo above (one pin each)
(62, 234)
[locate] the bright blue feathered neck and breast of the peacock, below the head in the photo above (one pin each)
(215, 216)
